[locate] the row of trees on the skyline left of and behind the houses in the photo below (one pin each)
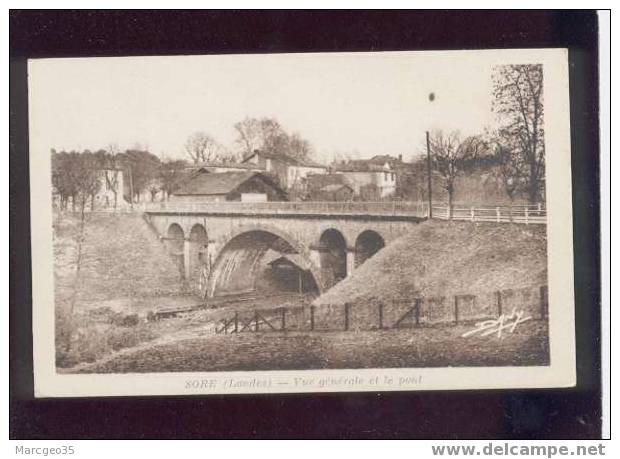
(77, 177)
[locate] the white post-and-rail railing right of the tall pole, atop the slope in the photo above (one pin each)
(527, 214)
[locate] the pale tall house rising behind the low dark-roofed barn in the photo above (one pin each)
(290, 171)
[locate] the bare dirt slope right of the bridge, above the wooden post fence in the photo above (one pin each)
(449, 258)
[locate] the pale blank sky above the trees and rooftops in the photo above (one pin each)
(355, 104)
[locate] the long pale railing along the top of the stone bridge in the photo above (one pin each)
(386, 208)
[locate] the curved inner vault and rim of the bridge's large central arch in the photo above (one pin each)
(237, 265)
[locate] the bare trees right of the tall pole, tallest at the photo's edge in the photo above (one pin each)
(515, 149)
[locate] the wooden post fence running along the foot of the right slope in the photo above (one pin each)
(395, 314)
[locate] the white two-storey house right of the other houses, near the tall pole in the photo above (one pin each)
(369, 179)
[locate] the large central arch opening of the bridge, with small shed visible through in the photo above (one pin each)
(262, 262)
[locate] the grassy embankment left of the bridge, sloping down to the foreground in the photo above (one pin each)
(123, 271)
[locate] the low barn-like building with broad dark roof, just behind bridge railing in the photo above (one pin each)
(247, 186)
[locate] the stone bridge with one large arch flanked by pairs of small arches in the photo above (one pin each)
(224, 247)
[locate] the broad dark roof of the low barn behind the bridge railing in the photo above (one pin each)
(211, 183)
